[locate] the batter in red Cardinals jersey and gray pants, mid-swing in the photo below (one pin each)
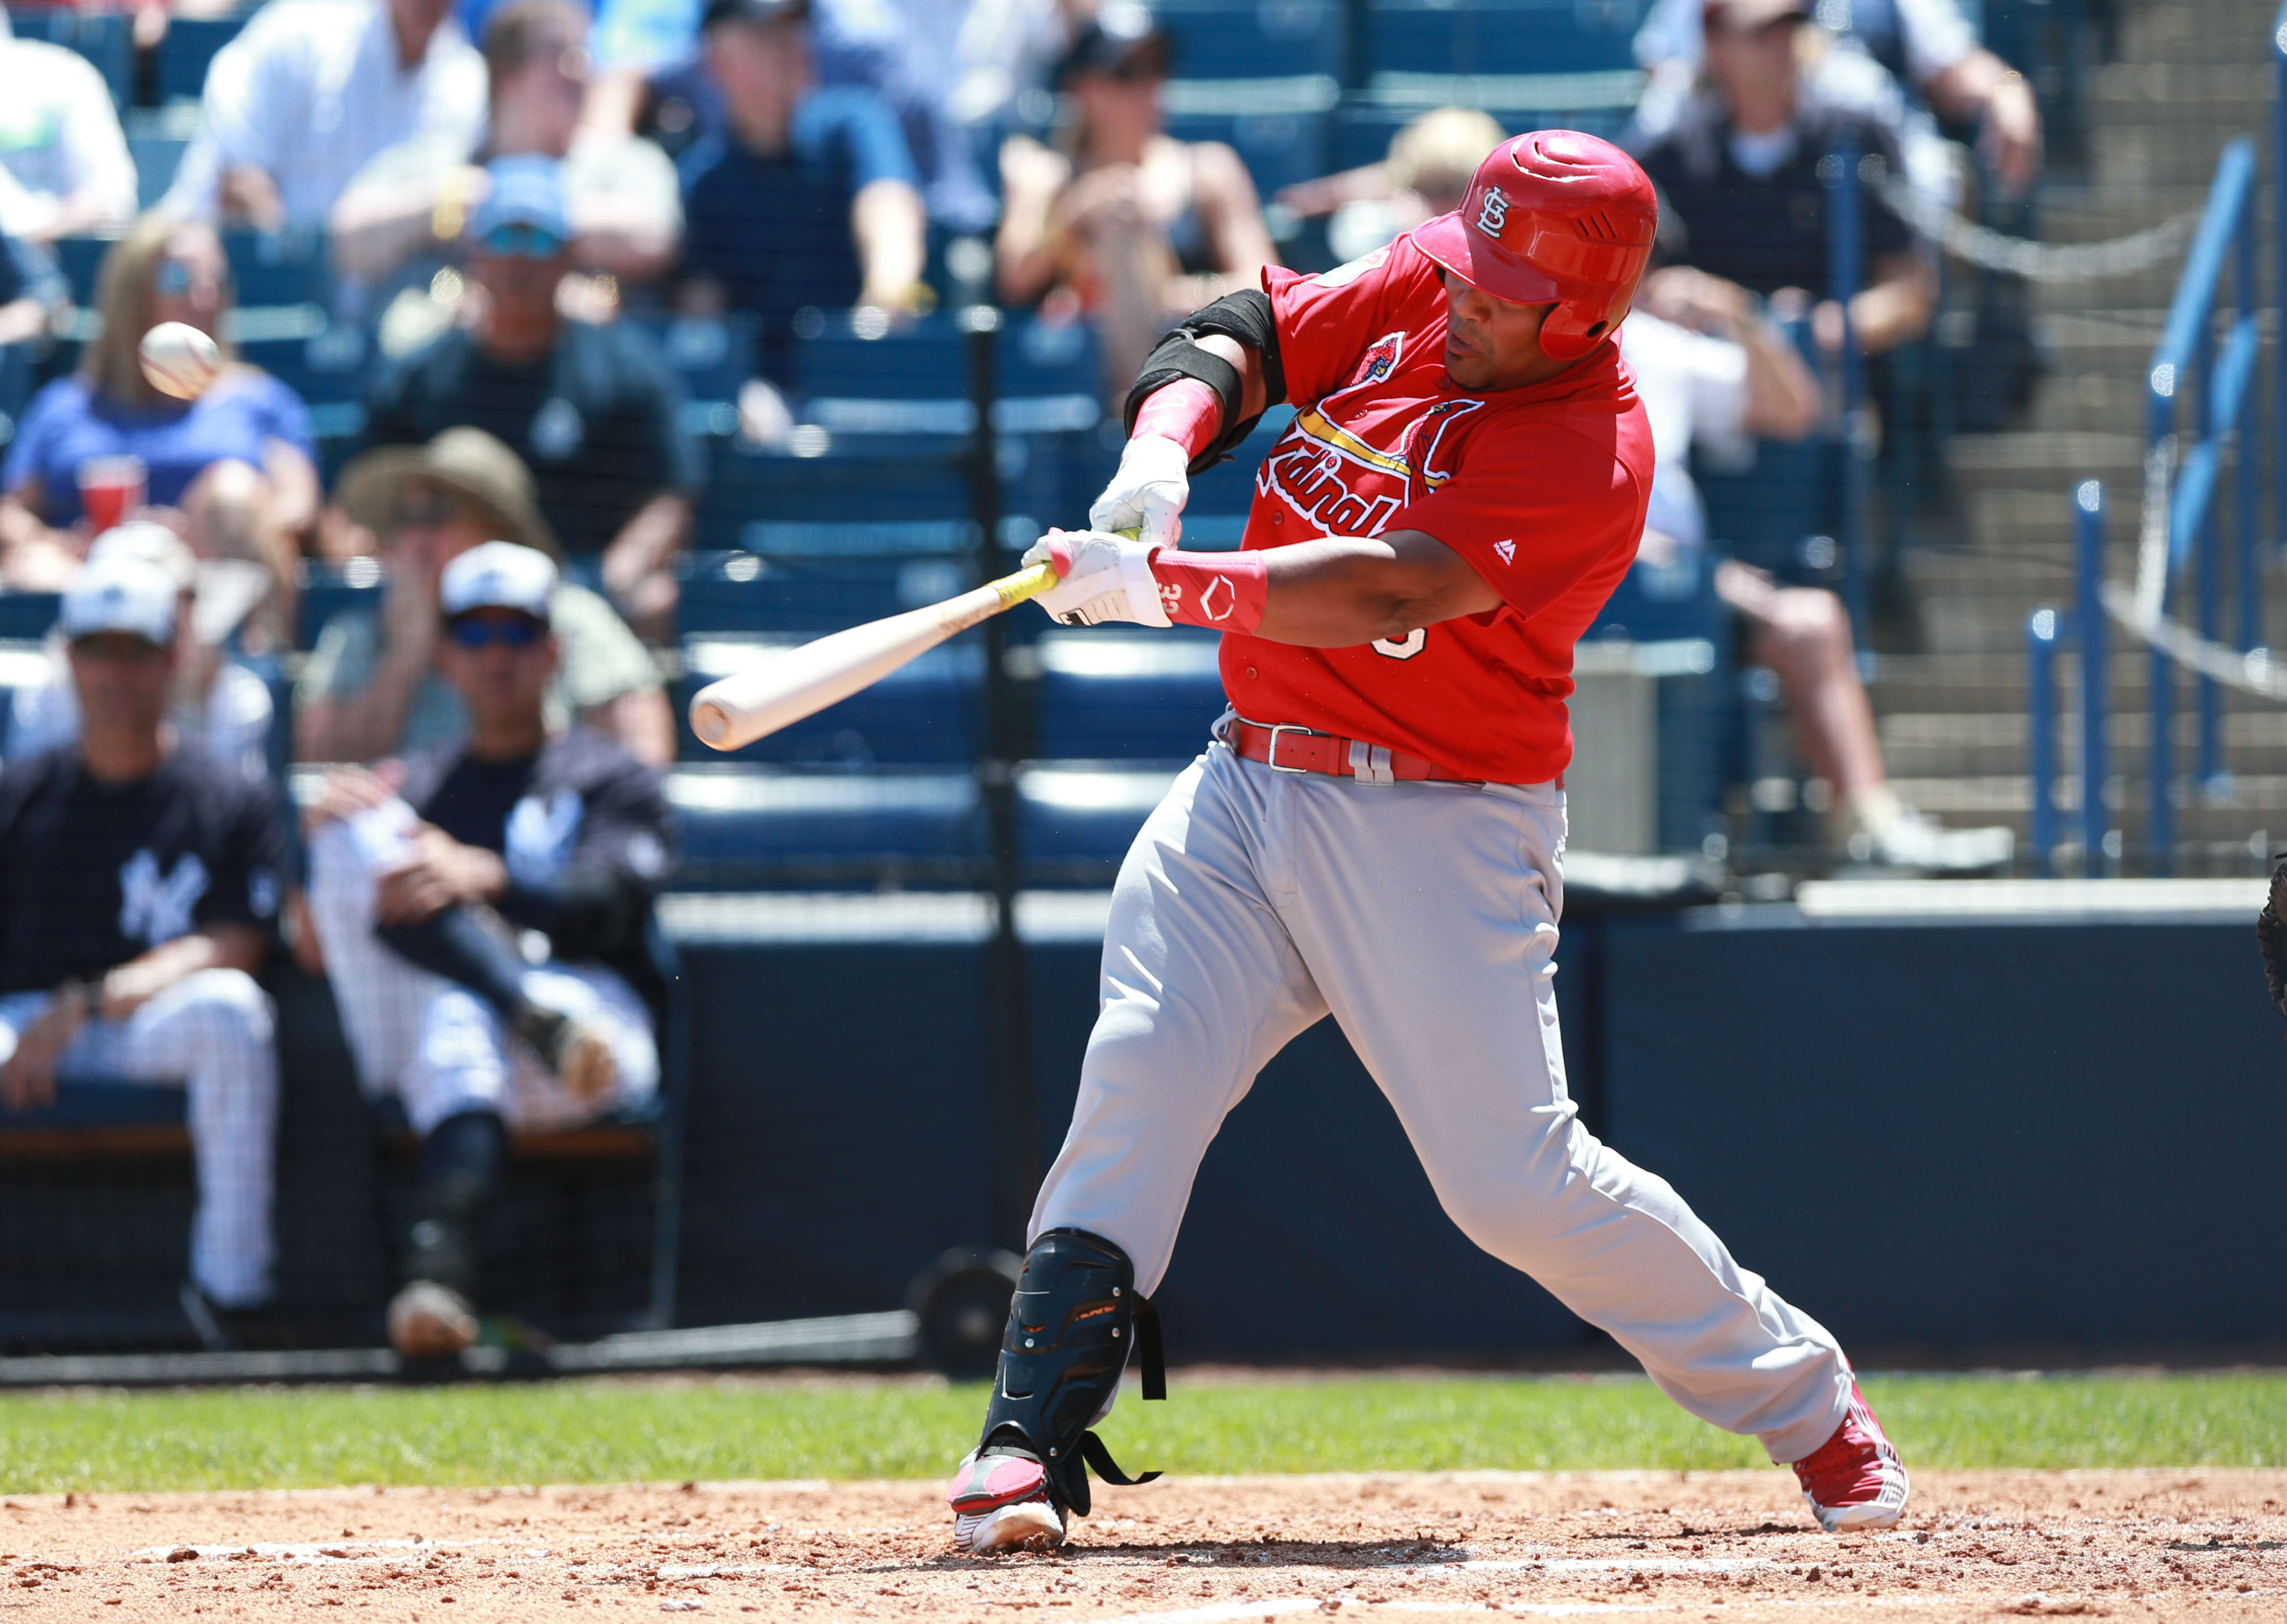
(1378, 827)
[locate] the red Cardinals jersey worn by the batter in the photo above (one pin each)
(1540, 488)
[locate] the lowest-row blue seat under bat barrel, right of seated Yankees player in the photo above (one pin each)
(749, 827)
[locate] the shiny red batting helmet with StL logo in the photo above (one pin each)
(1554, 216)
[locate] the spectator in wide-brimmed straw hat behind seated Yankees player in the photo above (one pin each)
(372, 687)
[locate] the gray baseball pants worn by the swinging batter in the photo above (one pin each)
(1426, 921)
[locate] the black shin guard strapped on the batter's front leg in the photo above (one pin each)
(1071, 1328)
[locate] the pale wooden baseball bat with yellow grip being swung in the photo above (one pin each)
(756, 703)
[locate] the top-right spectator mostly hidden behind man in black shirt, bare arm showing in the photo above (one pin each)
(1927, 45)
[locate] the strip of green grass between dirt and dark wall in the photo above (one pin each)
(671, 1431)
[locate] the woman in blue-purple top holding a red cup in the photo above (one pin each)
(237, 470)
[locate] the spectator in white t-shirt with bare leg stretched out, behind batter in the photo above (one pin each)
(1719, 376)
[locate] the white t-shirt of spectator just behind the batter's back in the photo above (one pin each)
(1694, 390)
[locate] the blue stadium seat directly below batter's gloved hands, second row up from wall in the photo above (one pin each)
(1117, 696)
